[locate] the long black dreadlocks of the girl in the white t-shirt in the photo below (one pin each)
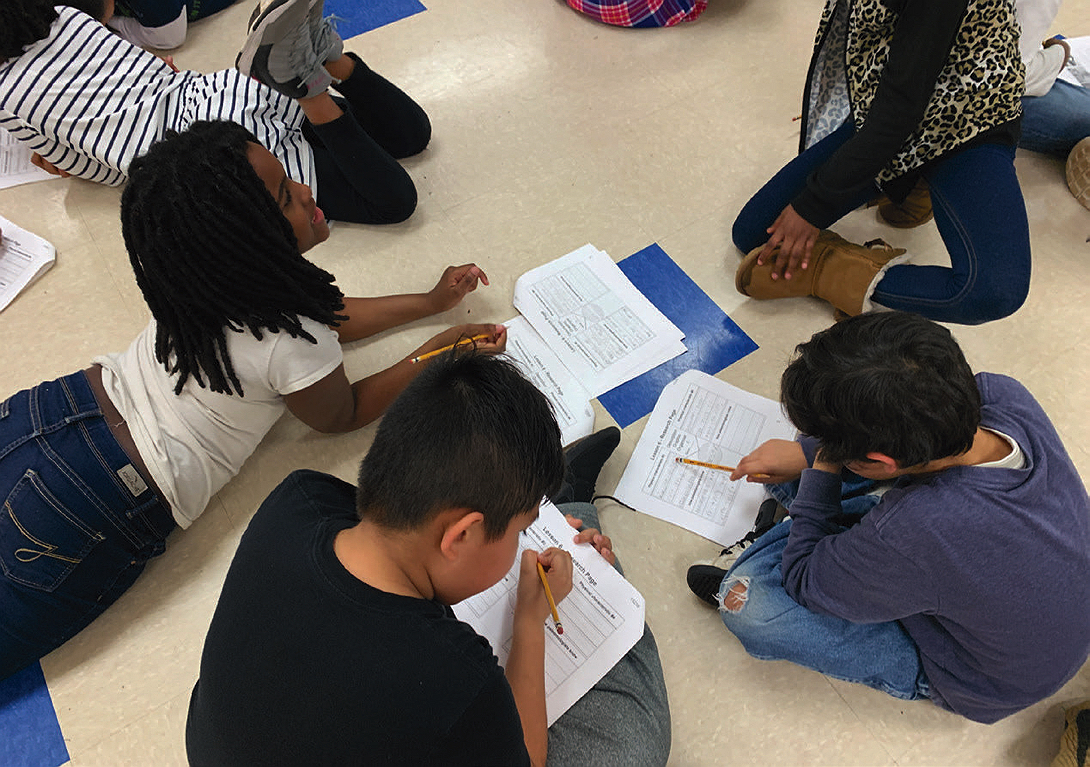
(213, 252)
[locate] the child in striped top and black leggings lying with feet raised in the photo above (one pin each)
(88, 102)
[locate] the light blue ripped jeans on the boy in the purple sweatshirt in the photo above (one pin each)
(773, 627)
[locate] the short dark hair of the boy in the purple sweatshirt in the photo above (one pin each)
(891, 383)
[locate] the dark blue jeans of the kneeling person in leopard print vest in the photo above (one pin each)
(982, 217)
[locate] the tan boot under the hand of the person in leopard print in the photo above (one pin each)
(840, 272)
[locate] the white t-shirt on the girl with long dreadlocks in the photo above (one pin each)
(196, 442)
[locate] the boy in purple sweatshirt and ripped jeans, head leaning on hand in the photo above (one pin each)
(939, 539)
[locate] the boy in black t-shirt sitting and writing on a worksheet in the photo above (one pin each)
(334, 641)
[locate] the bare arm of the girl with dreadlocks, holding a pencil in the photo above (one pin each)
(335, 406)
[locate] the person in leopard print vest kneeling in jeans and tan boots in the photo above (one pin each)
(903, 96)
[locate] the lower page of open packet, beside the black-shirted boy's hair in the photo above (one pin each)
(572, 403)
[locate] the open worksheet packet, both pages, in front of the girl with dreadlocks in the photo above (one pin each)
(586, 330)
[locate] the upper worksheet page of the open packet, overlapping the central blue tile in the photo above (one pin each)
(602, 328)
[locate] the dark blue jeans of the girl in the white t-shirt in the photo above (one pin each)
(74, 538)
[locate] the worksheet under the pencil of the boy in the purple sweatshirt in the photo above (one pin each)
(700, 418)
